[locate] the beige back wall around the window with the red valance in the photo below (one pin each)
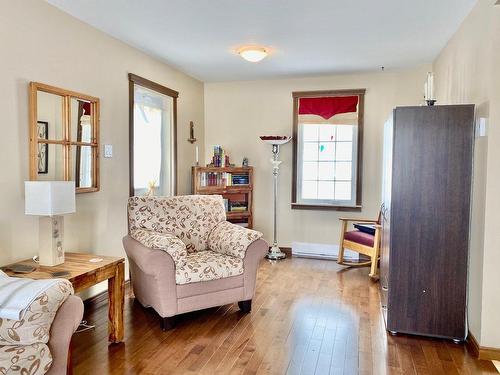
(237, 113)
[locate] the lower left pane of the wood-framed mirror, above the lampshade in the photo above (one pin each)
(50, 162)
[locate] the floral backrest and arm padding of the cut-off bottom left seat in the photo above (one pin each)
(38, 317)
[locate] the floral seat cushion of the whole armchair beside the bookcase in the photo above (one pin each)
(208, 265)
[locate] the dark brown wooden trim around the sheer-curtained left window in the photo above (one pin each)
(140, 81)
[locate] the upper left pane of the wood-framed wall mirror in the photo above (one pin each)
(50, 111)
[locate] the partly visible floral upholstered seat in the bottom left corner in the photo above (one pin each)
(40, 342)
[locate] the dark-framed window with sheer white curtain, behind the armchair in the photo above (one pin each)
(153, 138)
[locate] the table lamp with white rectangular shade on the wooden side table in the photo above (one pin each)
(50, 200)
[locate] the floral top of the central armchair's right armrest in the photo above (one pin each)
(231, 239)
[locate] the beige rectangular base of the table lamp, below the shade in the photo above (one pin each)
(50, 235)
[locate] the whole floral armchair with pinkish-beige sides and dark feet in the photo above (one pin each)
(185, 256)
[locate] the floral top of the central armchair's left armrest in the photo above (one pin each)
(162, 241)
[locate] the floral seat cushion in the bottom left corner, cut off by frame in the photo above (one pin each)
(34, 359)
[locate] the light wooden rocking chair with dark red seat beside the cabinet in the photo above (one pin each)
(363, 243)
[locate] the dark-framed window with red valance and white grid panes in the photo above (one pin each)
(327, 149)
